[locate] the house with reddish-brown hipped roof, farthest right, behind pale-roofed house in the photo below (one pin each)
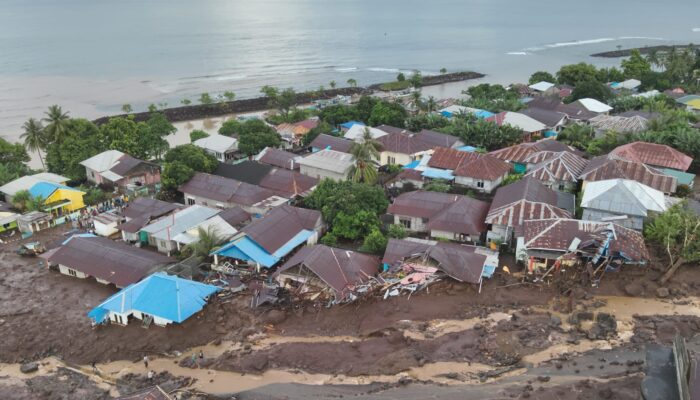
(655, 155)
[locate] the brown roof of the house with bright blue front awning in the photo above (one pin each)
(280, 225)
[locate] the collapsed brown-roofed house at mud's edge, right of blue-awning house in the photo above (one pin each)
(320, 268)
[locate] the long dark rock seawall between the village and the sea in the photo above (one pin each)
(202, 111)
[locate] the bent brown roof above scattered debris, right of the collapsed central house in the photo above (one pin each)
(461, 262)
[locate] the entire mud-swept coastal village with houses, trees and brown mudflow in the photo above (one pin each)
(364, 236)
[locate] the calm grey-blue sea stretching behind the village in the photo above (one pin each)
(92, 56)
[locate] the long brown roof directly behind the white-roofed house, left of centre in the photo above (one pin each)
(222, 189)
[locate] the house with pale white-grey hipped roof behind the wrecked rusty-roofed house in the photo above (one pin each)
(622, 201)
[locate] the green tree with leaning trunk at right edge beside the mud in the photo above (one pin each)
(677, 231)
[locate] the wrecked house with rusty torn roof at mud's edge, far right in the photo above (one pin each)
(548, 240)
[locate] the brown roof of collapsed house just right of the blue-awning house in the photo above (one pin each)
(339, 269)
